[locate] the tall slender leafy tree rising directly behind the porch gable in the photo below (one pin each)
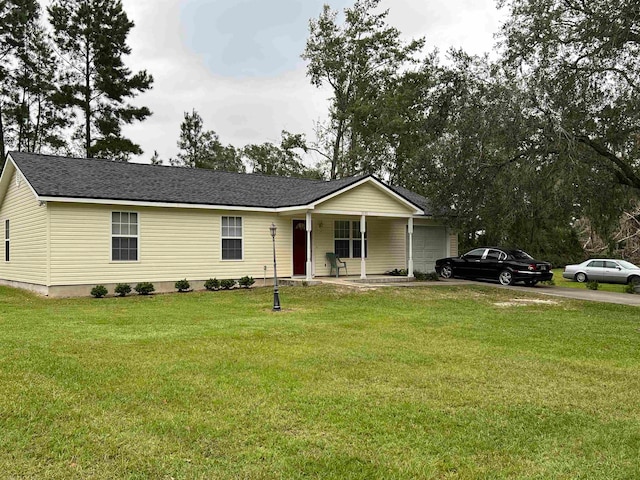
(353, 58)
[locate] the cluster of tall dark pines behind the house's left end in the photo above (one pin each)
(64, 84)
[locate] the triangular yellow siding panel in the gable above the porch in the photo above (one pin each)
(365, 198)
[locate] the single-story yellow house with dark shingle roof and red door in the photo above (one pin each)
(72, 223)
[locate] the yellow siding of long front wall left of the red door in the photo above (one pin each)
(173, 244)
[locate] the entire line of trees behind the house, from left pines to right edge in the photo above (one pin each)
(517, 148)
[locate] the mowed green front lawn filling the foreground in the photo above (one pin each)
(431, 382)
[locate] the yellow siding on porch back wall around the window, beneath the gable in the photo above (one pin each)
(386, 244)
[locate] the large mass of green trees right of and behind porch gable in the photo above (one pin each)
(517, 149)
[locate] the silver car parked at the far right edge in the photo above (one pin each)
(605, 270)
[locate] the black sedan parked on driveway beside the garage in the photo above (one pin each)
(492, 263)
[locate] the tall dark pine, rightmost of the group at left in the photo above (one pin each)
(91, 35)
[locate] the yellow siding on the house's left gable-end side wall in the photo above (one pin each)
(27, 236)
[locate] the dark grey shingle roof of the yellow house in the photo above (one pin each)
(54, 176)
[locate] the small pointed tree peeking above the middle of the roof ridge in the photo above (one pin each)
(200, 148)
